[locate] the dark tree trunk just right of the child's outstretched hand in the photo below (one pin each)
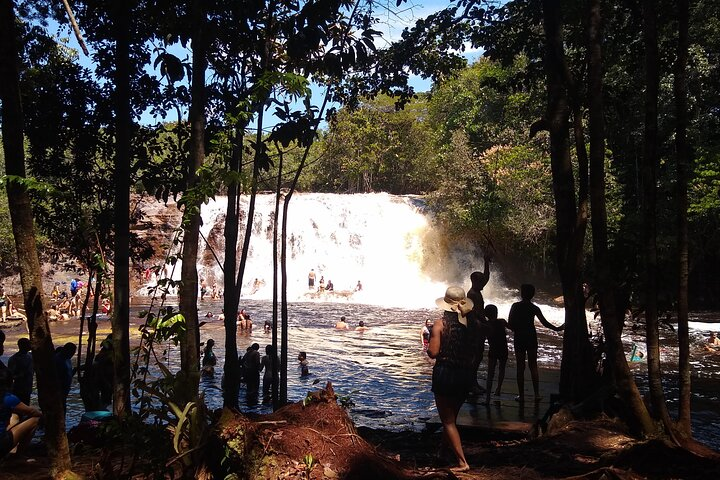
(570, 227)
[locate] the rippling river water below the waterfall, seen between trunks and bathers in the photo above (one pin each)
(386, 374)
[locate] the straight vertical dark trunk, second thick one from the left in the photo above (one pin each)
(121, 280)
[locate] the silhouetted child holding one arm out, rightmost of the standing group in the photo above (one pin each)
(522, 321)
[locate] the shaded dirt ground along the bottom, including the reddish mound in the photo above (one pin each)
(277, 445)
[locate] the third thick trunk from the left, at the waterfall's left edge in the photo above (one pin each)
(190, 344)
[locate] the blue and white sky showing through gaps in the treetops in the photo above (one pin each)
(391, 25)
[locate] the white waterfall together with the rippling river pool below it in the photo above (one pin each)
(389, 244)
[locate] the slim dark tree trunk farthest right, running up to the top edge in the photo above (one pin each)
(683, 161)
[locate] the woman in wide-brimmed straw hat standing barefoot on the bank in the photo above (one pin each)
(451, 345)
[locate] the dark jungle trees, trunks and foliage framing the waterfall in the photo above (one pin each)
(583, 142)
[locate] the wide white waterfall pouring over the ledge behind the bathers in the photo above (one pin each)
(386, 242)
